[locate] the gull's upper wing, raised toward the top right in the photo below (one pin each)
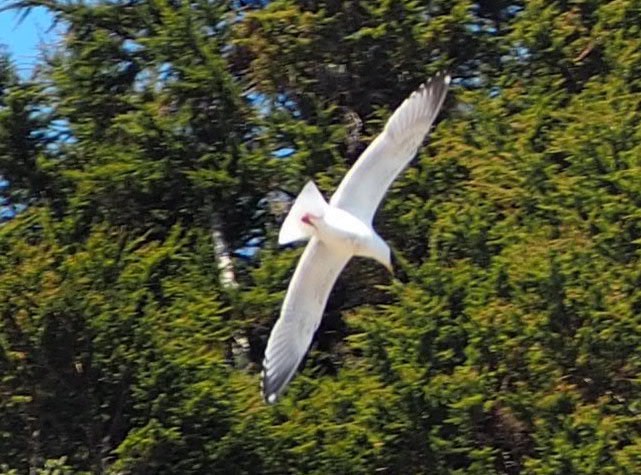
(367, 181)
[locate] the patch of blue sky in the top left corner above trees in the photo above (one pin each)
(22, 38)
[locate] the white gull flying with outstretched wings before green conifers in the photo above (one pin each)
(341, 229)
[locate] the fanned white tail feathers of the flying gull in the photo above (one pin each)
(309, 201)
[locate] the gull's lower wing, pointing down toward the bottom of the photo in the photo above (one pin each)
(300, 316)
